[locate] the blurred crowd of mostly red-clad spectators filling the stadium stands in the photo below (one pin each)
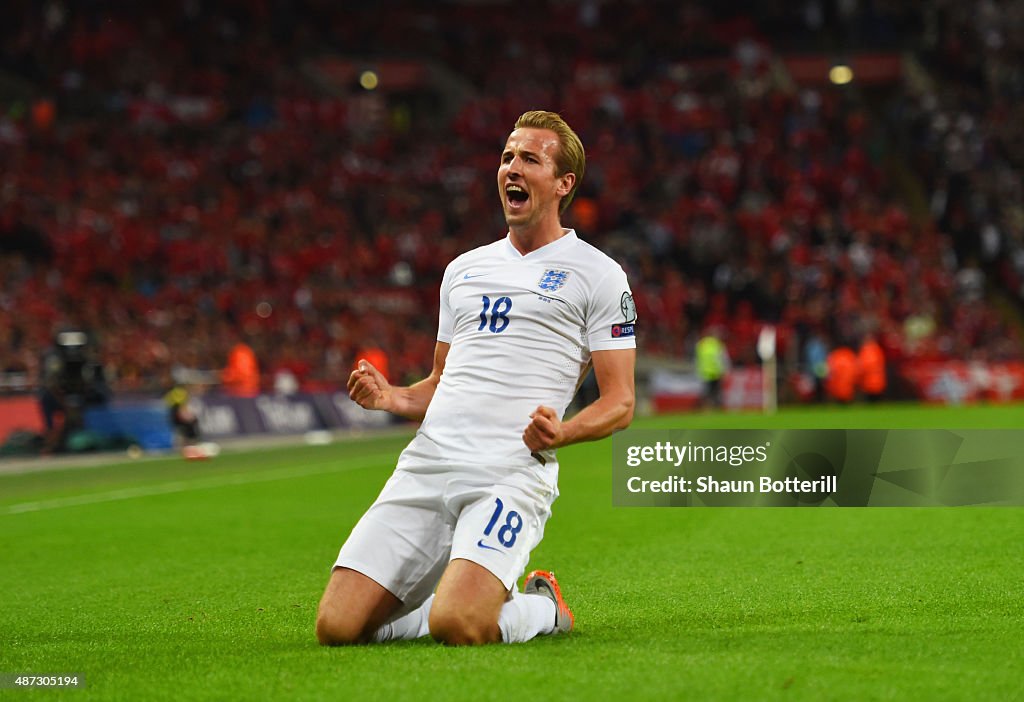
(186, 178)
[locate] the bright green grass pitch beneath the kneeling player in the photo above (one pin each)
(167, 580)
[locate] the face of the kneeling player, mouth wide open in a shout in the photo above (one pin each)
(528, 181)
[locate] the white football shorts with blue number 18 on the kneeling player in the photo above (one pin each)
(431, 515)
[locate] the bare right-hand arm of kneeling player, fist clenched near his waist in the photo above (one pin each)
(610, 413)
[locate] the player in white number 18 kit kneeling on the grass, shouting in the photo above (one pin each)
(522, 322)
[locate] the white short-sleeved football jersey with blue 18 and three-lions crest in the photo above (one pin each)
(522, 330)
